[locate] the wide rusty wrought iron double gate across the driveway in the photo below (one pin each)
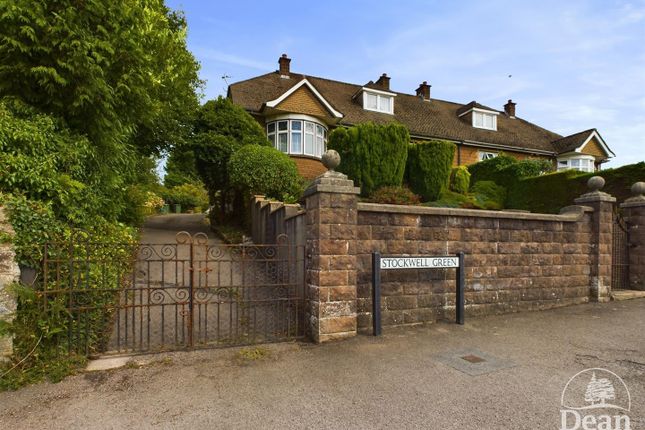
(182, 295)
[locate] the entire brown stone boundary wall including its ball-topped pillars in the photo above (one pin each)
(514, 261)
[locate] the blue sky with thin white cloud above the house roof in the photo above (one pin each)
(574, 65)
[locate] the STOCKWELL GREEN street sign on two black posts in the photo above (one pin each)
(416, 262)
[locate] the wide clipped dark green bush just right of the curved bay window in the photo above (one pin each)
(372, 155)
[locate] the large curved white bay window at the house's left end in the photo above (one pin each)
(318, 136)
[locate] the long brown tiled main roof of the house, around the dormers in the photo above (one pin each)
(429, 119)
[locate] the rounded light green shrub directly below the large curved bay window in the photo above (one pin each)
(256, 169)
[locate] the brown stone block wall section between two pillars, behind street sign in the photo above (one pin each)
(514, 261)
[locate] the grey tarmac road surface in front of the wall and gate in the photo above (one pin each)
(407, 378)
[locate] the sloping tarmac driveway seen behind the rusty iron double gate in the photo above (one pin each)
(236, 291)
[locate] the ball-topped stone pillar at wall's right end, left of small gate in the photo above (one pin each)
(602, 237)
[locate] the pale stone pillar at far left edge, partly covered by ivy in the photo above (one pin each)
(9, 273)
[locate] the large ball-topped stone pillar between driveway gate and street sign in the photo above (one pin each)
(331, 203)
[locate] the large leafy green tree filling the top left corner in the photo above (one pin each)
(113, 70)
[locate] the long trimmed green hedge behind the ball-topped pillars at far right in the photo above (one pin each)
(550, 193)
